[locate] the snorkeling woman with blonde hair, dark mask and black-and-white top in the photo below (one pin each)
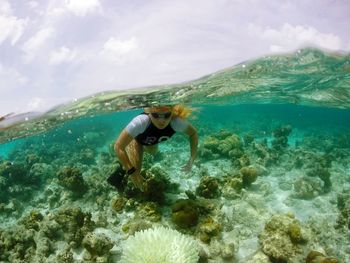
(145, 131)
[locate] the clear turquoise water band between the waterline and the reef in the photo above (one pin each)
(258, 119)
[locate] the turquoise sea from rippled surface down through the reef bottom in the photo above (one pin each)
(304, 172)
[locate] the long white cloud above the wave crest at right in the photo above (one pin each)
(290, 37)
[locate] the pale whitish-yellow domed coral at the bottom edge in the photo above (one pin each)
(159, 245)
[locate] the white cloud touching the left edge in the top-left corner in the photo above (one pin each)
(11, 27)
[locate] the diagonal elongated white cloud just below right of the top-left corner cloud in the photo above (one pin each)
(37, 42)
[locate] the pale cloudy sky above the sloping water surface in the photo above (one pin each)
(55, 51)
